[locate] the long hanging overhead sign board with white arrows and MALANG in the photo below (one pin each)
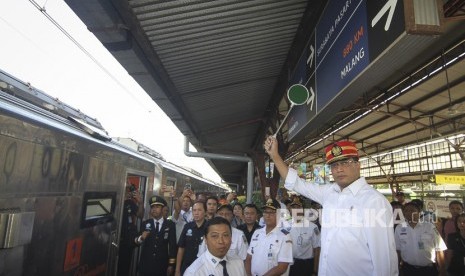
(349, 36)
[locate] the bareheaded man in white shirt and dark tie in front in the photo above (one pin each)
(215, 261)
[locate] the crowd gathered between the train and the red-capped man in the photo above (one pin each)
(202, 234)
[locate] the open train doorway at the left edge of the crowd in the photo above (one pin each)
(131, 220)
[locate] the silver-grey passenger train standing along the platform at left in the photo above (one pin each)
(62, 185)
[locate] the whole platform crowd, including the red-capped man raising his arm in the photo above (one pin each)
(358, 231)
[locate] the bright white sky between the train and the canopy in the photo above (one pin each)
(34, 50)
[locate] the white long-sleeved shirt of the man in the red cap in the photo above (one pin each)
(357, 236)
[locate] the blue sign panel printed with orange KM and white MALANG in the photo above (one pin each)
(343, 51)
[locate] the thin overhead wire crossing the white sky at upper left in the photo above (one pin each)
(89, 55)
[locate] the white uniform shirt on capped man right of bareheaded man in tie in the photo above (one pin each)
(267, 250)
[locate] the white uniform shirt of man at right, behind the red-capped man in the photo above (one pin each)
(418, 245)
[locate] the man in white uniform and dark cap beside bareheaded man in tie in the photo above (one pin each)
(270, 250)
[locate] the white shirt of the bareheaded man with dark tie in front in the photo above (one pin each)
(207, 265)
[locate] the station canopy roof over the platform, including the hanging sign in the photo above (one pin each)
(378, 73)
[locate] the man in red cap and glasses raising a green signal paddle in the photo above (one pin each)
(356, 235)
